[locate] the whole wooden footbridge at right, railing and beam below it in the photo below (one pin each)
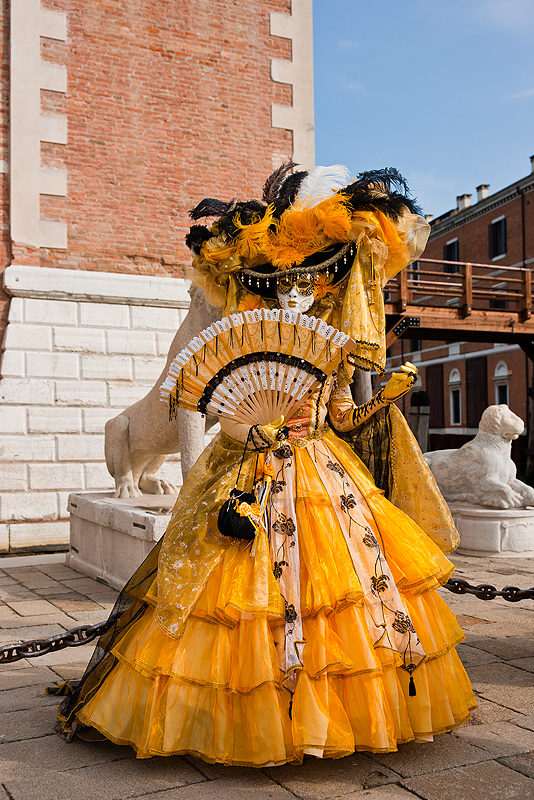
(458, 300)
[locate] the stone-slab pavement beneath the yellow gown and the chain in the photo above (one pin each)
(490, 758)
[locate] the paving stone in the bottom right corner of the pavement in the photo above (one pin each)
(487, 781)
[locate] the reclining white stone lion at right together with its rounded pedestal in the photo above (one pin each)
(491, 508)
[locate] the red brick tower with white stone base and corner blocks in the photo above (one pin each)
(116, 119)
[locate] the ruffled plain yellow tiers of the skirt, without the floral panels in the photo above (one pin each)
(219, 690)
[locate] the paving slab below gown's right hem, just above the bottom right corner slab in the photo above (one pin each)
(416, 758)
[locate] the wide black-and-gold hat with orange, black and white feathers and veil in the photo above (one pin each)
(349, 236)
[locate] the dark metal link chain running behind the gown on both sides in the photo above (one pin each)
(88, 633)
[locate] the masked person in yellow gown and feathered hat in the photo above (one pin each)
(324, 633)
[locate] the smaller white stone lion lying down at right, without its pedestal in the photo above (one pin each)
(482, 471)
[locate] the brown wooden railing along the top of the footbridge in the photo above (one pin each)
(430, 282)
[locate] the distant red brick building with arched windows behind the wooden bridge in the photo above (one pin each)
(463, 378)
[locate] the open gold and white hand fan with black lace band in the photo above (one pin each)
(255, 366)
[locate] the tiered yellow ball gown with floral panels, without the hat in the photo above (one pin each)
(324, 635)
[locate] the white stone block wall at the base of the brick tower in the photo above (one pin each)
(67, 367)
